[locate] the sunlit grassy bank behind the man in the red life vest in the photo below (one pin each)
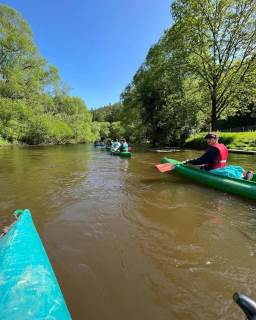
(233, 140)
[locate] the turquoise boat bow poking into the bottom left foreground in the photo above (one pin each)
(28, 286)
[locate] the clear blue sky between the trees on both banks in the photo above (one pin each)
(97, 45)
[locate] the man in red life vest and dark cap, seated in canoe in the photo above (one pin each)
(215, 156)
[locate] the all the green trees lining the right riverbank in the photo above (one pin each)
(200, 72)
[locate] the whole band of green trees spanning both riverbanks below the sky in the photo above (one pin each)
(200, 72)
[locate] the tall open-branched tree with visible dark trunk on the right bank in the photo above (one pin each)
(216, 40)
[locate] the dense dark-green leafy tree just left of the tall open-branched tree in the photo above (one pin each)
(163, 96)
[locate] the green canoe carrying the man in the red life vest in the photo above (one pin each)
(240, 187)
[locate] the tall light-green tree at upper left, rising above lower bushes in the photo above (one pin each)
(23, 73)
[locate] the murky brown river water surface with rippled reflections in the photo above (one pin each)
(129, 243)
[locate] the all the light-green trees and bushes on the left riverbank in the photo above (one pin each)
(34, 106)
